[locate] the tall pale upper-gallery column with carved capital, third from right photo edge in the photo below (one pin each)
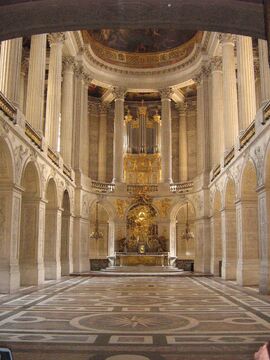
(230, 106)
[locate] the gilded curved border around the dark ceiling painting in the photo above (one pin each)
(142, 60)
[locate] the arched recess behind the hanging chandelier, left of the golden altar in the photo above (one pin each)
(99, 248)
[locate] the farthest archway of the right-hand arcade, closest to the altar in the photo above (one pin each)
(216, 243)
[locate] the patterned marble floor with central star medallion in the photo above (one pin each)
(137, 318)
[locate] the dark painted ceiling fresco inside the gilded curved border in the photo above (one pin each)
(141, 40)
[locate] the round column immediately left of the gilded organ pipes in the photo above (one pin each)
(119, 133)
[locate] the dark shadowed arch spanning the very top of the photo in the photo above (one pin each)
(25, 17)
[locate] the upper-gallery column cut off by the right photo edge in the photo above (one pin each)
(264, 70)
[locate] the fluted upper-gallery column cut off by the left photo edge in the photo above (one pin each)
(10, 68)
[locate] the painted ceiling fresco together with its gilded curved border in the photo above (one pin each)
(142, 48)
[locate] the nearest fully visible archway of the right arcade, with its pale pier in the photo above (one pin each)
(247, 227)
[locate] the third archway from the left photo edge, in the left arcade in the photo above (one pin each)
(52, 224)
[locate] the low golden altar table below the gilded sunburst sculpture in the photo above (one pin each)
(135, 259)
